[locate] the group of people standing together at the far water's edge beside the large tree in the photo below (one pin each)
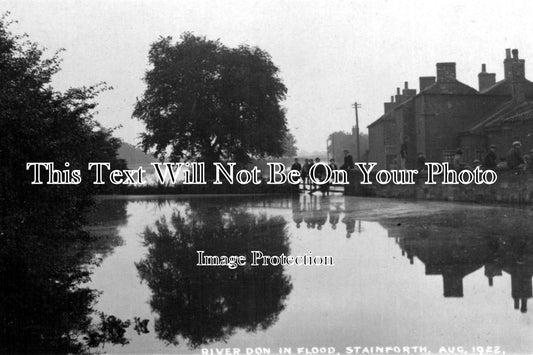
(320, 172)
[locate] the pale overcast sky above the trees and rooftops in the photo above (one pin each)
(330, 53)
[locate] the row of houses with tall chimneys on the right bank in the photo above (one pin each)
(446, 115)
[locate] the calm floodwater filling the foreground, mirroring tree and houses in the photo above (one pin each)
(405, 273)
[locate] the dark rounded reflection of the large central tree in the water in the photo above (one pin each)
(208, 304)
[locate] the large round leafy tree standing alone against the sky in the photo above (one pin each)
(207, 101)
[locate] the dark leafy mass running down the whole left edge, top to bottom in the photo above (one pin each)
(44, 253)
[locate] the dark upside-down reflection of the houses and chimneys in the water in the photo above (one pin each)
(493, 243)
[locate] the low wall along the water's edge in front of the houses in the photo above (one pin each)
(510, 187)
